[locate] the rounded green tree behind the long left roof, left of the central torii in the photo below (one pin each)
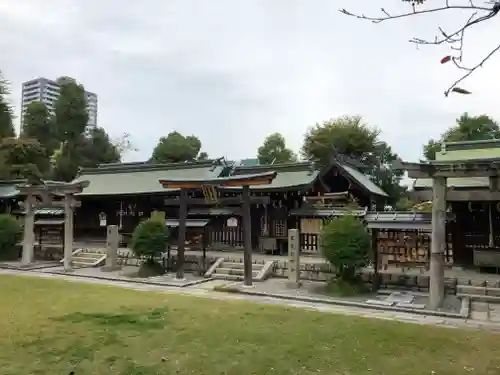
(175, 148)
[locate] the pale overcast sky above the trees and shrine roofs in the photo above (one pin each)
(231, 72)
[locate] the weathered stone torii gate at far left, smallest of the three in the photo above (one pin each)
(42, 196)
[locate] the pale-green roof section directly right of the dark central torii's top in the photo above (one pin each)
(289, 175)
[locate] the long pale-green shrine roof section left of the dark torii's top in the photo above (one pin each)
(143, 178)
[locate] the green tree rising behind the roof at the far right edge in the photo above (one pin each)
(467, 128)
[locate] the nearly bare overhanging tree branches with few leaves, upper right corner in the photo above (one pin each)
(476, 14)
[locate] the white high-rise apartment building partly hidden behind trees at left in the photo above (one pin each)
(47, 92)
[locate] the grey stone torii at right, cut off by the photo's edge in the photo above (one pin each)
(439, 172)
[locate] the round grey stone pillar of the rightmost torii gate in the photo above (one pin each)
(438, 243)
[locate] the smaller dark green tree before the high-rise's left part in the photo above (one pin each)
(38, 124)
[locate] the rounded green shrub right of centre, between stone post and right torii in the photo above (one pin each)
(345, 243)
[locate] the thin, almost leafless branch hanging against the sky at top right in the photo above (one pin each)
(455, 39)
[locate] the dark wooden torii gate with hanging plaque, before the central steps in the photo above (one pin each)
(244, 181)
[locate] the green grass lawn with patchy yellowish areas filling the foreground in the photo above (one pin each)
(54, 327)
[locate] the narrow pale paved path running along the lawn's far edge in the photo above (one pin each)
(205, 290)
